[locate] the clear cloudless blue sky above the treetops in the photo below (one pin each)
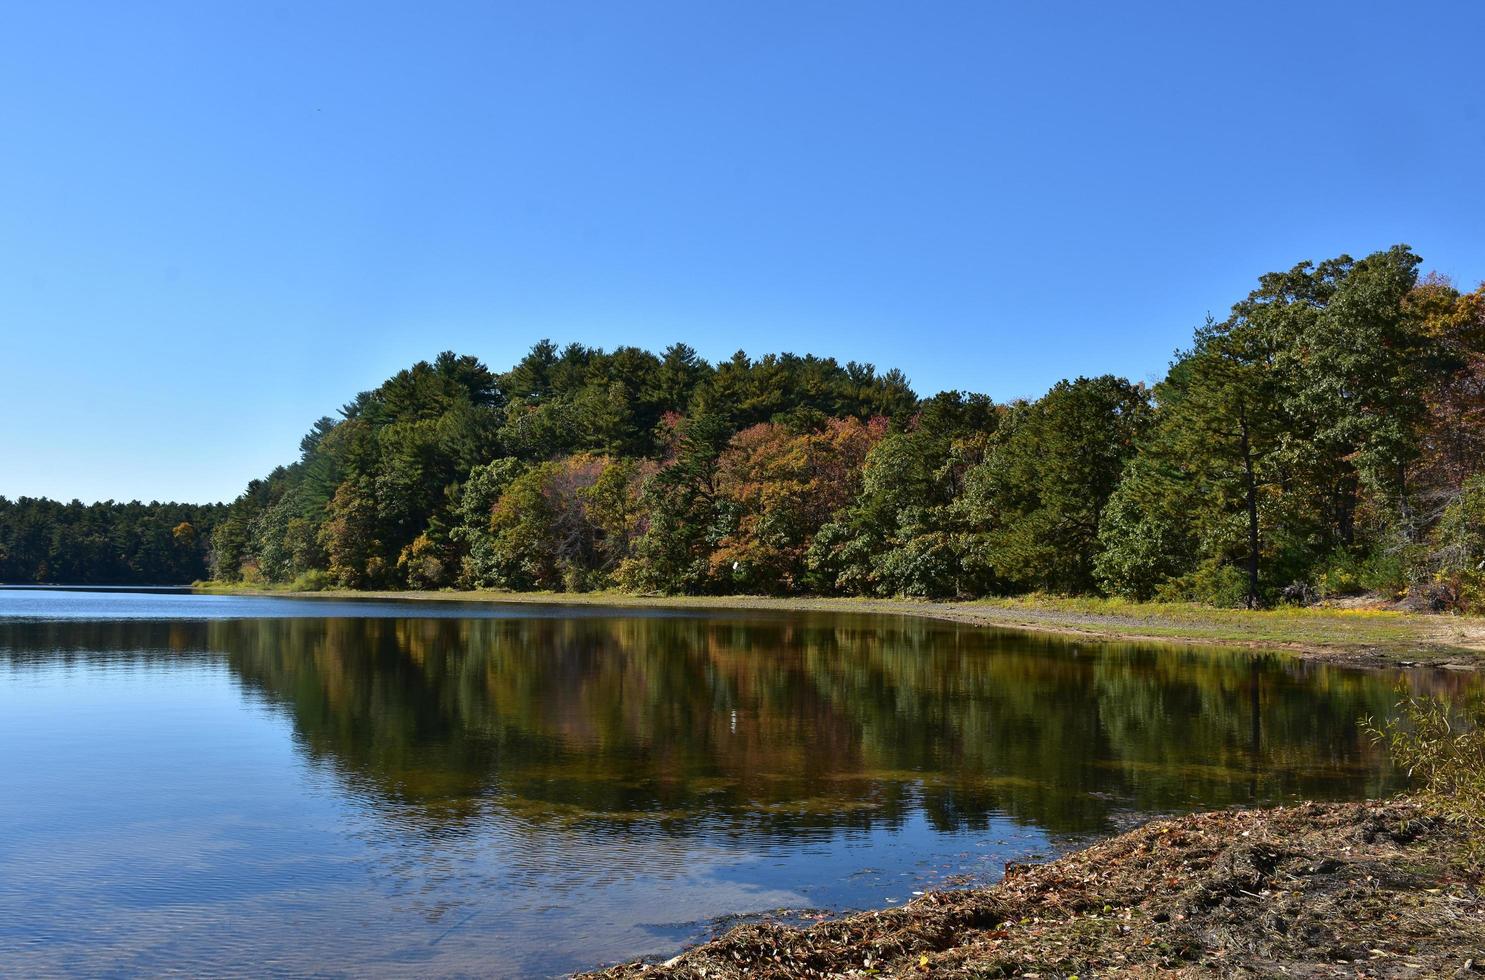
(222, 220)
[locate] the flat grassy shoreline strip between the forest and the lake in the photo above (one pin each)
(1358, 636)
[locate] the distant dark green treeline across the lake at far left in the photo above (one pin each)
(105, 544)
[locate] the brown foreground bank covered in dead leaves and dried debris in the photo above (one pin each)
(1316, 890)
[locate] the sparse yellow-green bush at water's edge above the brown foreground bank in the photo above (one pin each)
(1443, 748)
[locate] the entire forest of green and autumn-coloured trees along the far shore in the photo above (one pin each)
(1325, 439)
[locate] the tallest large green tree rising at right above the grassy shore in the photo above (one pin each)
(1275, 431)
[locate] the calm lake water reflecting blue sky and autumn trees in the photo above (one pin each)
(210, 785)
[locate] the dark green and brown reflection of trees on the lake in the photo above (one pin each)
(780, 725)
